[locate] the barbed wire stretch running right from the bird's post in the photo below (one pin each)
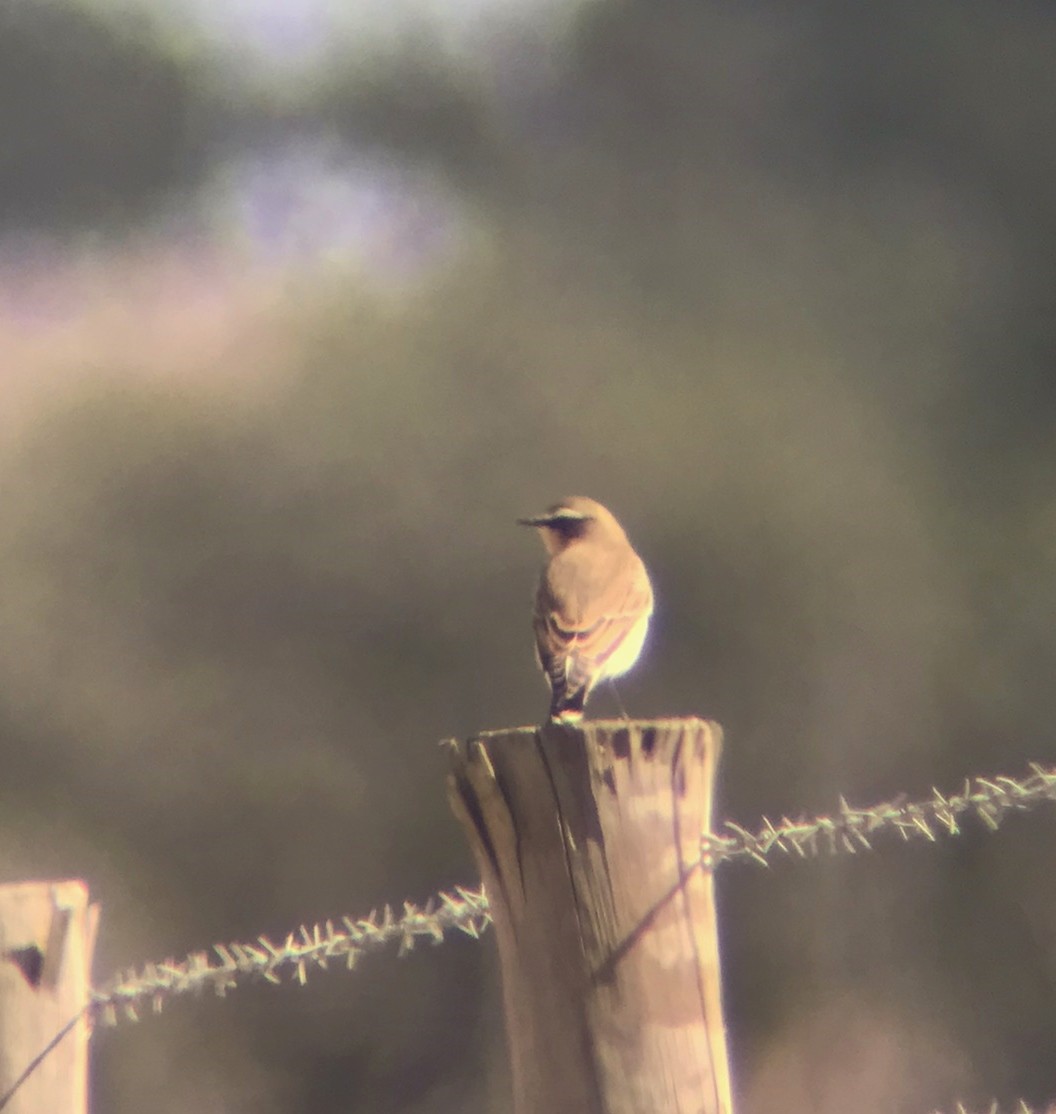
(850, 829)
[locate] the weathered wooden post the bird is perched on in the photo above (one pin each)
(589, 843)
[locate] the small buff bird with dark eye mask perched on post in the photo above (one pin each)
(593, 604)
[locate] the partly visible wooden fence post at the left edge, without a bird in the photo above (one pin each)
(47, 937)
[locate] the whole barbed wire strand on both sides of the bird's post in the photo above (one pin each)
(467, 911)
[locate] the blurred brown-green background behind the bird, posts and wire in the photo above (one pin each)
(301, 306)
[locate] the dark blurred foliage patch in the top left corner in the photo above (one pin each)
(100, 116)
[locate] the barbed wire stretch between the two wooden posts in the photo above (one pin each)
(234, 964)
